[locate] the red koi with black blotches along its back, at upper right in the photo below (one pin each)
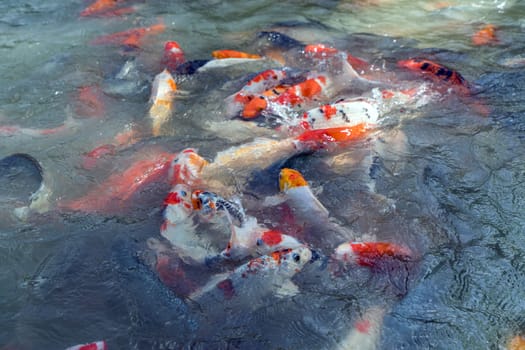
(438, 73)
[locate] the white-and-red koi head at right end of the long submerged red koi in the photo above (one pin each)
(186, 167)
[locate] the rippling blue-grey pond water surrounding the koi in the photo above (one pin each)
(448, 178)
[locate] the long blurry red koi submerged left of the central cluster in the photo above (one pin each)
(116, 191)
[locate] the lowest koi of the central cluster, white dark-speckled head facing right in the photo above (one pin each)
(257, 279)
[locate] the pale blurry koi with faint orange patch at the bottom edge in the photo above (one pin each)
(366, 331)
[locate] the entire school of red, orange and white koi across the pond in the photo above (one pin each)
(307, 102)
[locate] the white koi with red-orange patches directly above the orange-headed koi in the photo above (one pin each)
(263, 81)
